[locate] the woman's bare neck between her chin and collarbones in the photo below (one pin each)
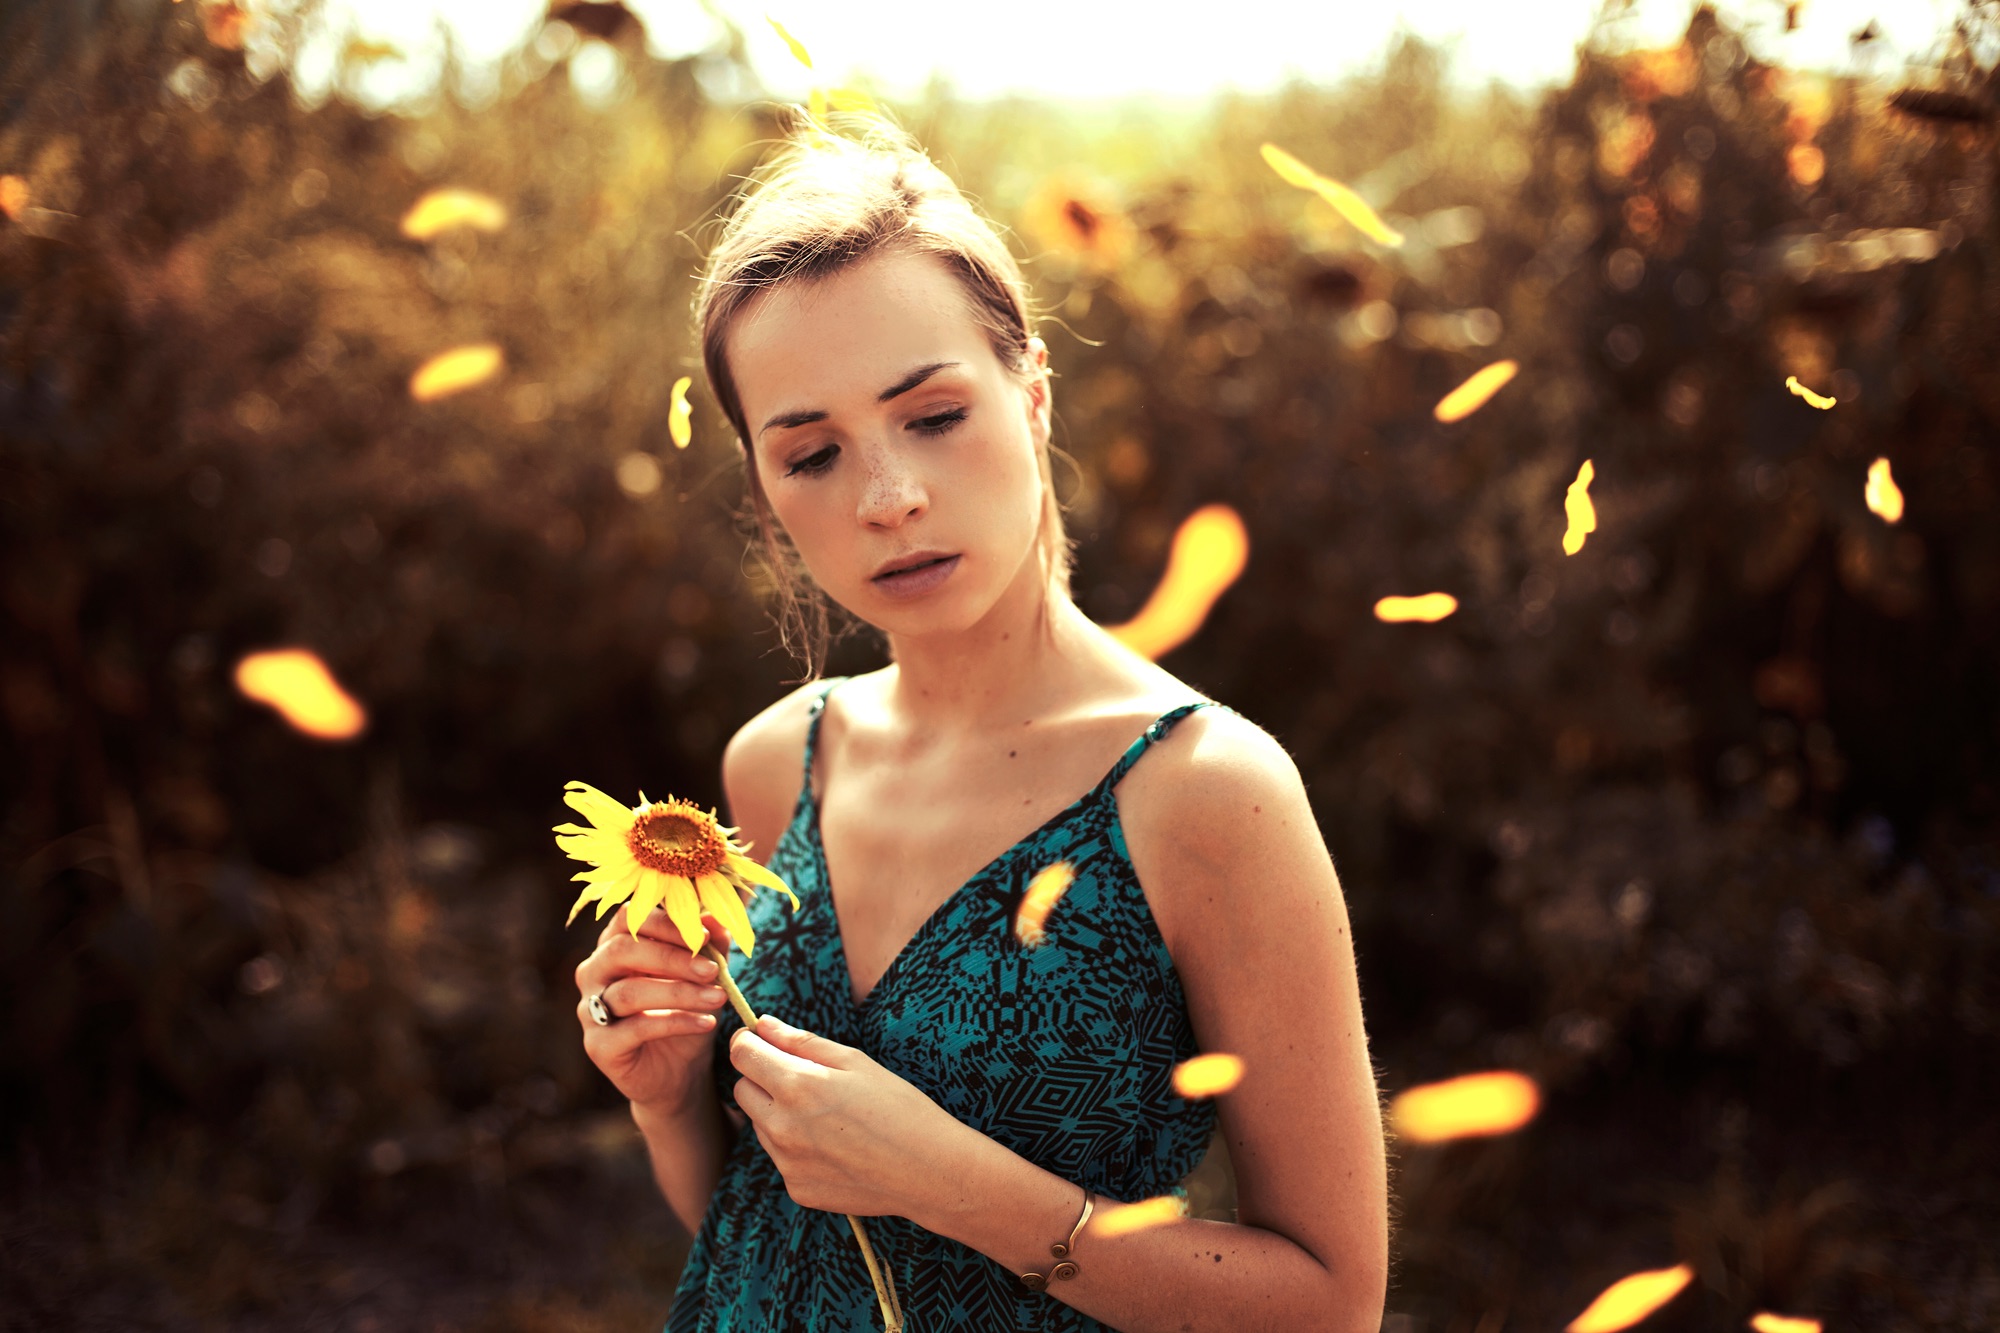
(1027, 655)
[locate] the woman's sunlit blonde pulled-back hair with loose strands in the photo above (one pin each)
(819, 205)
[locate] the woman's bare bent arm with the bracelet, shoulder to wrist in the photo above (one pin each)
(1247, 898)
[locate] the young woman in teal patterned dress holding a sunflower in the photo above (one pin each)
(869, 337)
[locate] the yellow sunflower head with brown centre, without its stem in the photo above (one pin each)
(663, 854)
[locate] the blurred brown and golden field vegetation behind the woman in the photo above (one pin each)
(1699, 828)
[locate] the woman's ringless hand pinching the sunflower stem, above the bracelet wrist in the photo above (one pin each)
(847, 1134)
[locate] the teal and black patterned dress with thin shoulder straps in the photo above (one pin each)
(1063, 1054)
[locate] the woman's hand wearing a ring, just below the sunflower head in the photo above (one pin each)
(665, 1004)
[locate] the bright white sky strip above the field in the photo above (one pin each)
(1097, 49)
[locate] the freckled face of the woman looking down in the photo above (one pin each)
(893, 445)
